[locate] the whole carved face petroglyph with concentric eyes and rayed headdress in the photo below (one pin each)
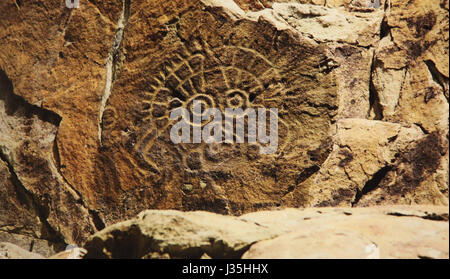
(211, 174)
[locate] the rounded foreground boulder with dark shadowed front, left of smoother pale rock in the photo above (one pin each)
(176, 234)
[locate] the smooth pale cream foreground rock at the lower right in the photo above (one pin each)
(380, 232)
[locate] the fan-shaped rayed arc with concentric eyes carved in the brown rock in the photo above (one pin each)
(225, 77)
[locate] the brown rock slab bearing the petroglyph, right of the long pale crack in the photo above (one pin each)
(206, 56)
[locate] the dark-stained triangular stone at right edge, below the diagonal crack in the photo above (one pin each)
(417, 177)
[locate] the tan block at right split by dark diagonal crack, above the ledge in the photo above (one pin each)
(369, 157)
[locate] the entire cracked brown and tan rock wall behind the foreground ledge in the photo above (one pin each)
(361, 89)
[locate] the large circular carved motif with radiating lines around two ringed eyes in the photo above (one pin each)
(224, 77)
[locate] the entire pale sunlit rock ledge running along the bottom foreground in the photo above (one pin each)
(377, 232)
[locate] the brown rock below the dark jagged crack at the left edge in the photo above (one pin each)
(33, 185)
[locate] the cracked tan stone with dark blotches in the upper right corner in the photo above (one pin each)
(410, 74)
